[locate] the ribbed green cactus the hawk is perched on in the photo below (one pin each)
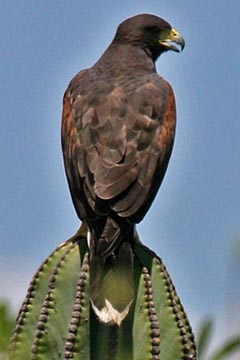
(56, 320)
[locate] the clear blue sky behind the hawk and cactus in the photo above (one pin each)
(195, 218)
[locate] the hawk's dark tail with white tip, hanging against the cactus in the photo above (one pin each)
(111, 272)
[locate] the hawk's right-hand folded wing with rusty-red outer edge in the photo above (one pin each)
(153, 113)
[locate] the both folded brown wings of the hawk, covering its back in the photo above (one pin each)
(116, 141)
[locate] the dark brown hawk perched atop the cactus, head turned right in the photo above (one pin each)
(118, 127)
